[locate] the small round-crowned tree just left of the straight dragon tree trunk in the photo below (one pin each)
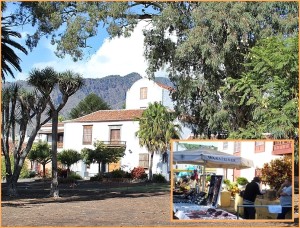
(41, 153)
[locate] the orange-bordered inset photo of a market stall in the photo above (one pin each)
(232, 180)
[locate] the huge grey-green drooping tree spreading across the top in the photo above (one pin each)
(201, 43)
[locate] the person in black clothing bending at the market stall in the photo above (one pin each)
(251, 191)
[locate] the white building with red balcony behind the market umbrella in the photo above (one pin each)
(260, 152)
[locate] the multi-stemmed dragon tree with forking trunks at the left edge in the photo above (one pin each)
(19, 108)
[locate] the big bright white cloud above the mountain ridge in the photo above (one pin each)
(118, 56)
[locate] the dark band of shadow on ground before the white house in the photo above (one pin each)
(37, 192)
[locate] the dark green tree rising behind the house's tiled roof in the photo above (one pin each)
(91, 103)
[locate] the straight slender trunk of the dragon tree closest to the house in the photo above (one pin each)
(54, 185)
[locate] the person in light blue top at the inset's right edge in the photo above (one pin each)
(285, 194)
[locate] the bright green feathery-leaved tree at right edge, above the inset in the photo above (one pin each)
(269, 87)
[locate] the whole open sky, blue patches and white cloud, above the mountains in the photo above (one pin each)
(118, 56)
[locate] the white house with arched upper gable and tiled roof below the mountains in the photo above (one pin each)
(120, 126)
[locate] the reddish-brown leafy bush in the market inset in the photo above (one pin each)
(275, 172)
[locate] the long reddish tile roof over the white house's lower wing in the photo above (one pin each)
(110, 115)
